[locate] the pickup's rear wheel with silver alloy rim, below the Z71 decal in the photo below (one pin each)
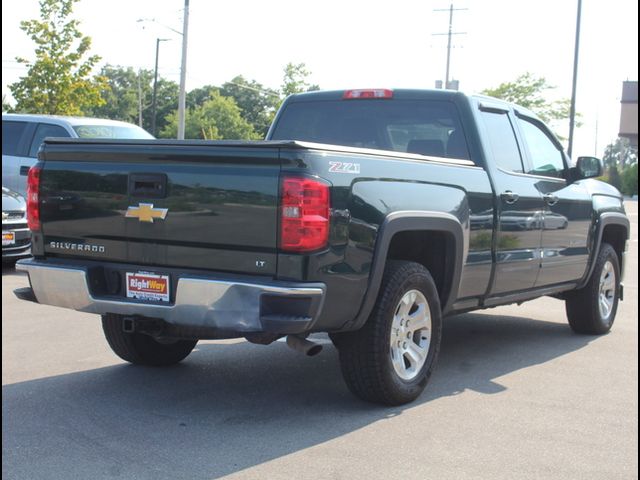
(391, 358)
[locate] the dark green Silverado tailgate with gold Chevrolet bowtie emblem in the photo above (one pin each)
(194, 205)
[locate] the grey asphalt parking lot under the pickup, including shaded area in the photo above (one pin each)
(515, 395)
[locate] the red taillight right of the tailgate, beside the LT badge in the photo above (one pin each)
(304, 214)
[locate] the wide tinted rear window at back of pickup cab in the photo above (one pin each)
(425, 127)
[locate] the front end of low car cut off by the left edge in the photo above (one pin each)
(16, 238)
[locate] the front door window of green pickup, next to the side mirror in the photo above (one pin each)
(546, 157)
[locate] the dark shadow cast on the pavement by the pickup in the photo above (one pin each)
(229, 407)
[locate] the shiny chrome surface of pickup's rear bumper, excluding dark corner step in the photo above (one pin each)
(199, 302)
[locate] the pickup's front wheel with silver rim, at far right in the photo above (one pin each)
(592, 309)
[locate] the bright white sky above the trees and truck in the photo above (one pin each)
(361, 44)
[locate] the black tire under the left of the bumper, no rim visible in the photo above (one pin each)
(141, 349)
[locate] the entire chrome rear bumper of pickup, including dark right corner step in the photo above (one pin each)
(221, 304)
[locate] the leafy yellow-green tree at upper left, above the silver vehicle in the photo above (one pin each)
(58, 81)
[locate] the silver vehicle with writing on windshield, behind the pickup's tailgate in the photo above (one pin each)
(22, 136)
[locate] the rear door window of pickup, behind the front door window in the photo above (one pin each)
(502, 140)
